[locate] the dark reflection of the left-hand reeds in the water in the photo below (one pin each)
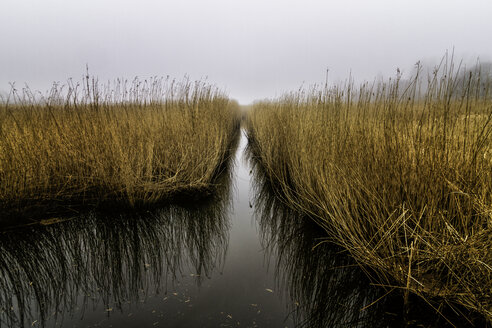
(107, 260)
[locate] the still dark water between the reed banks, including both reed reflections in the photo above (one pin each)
(240, 259)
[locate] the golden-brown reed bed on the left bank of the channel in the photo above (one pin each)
(133, 142)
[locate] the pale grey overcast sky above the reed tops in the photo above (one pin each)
(253, 49)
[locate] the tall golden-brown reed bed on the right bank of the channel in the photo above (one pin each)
(398, 173)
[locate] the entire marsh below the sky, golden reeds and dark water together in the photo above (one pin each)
(162, 202)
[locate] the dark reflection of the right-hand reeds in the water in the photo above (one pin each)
(325, 286)
